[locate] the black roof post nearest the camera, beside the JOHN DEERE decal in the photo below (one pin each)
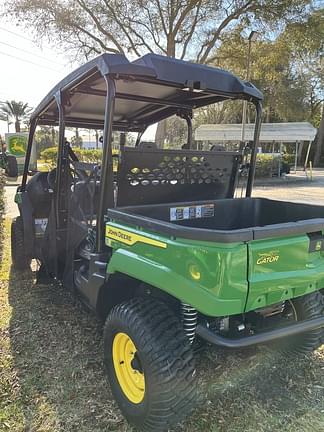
(106, 196)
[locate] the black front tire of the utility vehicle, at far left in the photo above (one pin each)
(19, 259)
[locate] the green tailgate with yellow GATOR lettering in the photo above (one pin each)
(283, 268)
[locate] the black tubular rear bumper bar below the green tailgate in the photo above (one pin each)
(291, 330)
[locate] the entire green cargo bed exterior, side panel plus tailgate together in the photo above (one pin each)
(234, 278)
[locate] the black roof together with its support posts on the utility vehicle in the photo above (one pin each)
(110, 93)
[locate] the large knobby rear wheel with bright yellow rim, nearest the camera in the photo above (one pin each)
(150, 364)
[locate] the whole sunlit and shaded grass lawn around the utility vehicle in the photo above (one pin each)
(52, 379)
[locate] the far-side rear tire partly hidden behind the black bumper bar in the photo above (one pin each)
(307, 307)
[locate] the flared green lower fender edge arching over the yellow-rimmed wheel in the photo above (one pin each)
(166, 279)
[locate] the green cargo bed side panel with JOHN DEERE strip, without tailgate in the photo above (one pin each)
(222, 287)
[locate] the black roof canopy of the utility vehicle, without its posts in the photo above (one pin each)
(148, 89)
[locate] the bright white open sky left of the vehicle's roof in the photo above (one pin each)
(27, 72)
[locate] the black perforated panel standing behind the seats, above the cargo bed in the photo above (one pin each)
(153, 176)
